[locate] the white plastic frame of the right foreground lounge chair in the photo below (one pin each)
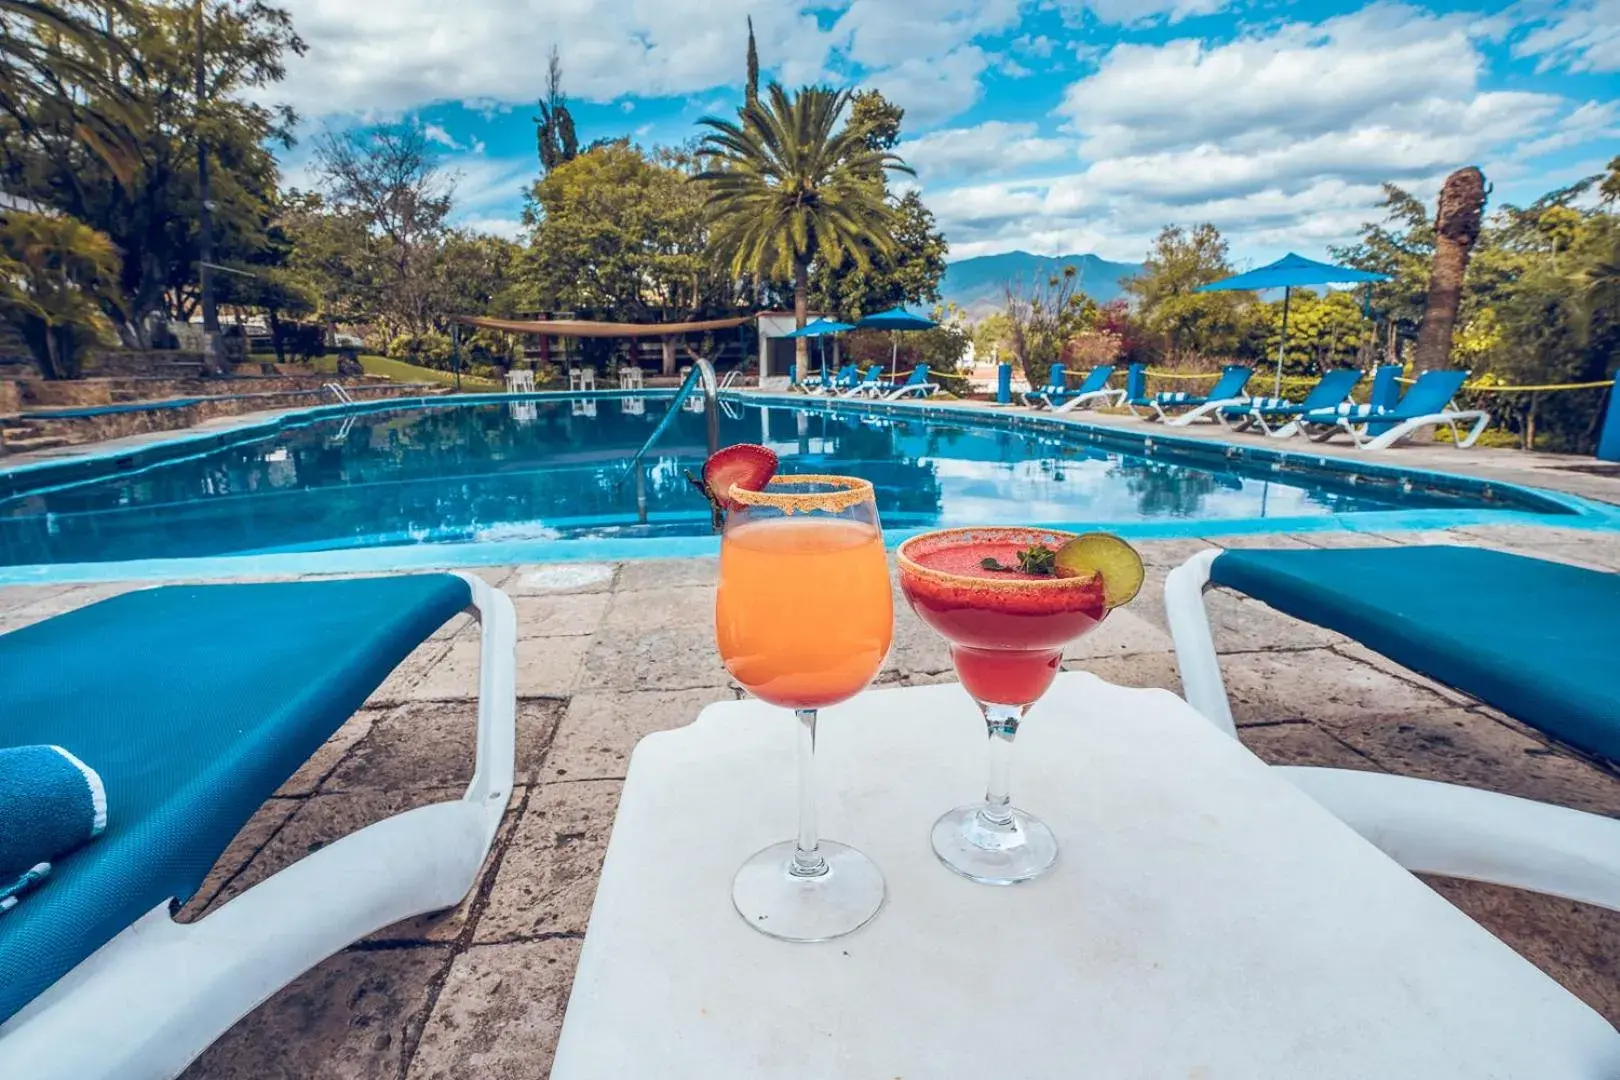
(1425, 827)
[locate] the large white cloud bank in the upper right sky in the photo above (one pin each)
(1281, 138)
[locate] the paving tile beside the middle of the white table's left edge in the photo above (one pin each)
(548, 880)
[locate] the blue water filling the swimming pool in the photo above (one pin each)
(558, 469)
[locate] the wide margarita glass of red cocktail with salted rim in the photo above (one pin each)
(1007, 632)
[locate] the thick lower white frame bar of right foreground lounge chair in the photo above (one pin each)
(1467, 833)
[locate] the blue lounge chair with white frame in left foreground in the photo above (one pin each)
(197, 704)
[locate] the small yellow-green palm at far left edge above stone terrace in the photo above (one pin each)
(56, 274)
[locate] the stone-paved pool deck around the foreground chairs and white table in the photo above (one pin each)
(626, 650)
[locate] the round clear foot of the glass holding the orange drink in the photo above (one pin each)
(782, 906)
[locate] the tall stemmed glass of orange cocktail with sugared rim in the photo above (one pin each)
(804, 618)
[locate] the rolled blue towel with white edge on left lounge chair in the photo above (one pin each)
(51, 804)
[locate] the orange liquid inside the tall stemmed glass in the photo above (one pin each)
(803, 616)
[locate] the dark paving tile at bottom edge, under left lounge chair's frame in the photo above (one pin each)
(349, 1019)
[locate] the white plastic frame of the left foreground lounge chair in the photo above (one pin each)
(156, 997)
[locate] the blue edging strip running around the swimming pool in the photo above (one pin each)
(1562, 509)
